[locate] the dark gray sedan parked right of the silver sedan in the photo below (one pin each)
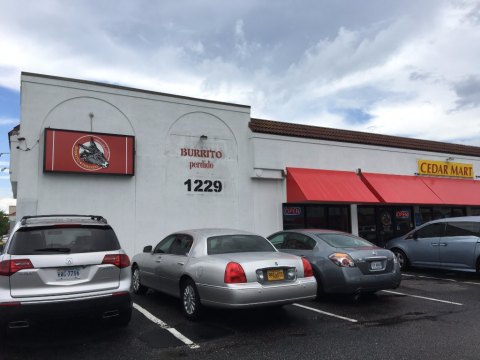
(342, 263)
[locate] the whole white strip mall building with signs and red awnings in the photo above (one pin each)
(153, 163)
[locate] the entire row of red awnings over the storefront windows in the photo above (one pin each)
(313, 185)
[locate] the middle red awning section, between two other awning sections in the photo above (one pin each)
(400, 189)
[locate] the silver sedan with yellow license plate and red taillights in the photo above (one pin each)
(222, 268)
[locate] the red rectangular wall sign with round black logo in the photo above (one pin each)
(91, 153)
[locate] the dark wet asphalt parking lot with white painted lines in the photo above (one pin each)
(432, 315)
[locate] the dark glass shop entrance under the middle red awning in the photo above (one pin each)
(378, 224)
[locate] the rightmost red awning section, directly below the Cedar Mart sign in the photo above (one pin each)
(455, 191)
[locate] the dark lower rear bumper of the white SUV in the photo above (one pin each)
(25, 314)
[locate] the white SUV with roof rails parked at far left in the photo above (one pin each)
(63, 266)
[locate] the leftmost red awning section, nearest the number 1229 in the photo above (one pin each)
(326, 186)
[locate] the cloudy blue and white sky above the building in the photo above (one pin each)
(400, 67)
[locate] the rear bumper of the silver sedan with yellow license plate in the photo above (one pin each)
(257, 295)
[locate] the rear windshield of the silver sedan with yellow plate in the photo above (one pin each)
(225, 244)
